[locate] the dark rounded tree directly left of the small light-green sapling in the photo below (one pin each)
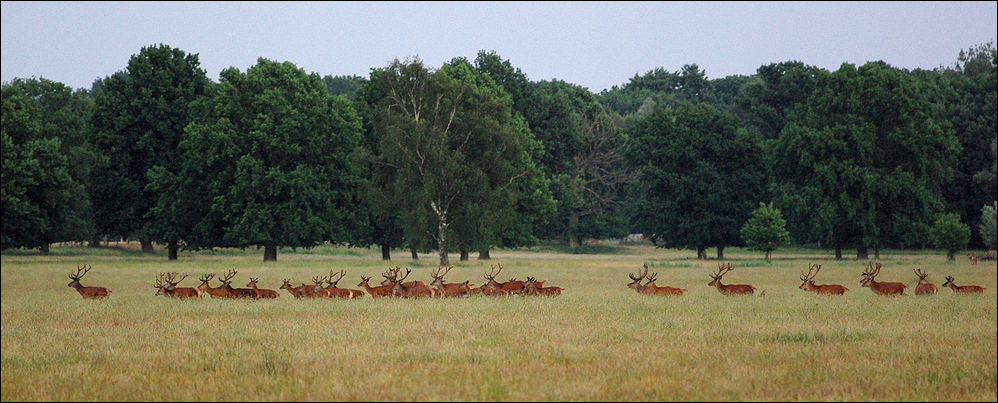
(700, 178)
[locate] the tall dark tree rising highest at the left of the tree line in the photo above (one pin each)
(139, 120)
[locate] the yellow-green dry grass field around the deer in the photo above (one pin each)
(598, 341)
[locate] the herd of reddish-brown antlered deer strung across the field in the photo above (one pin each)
(394, 286)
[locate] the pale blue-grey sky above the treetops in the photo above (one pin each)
(596, 45)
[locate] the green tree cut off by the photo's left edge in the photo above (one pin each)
(44, 197)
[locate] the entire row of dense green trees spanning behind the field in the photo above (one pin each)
(472, 156)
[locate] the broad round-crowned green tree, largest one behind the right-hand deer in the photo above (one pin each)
(863, 160)
